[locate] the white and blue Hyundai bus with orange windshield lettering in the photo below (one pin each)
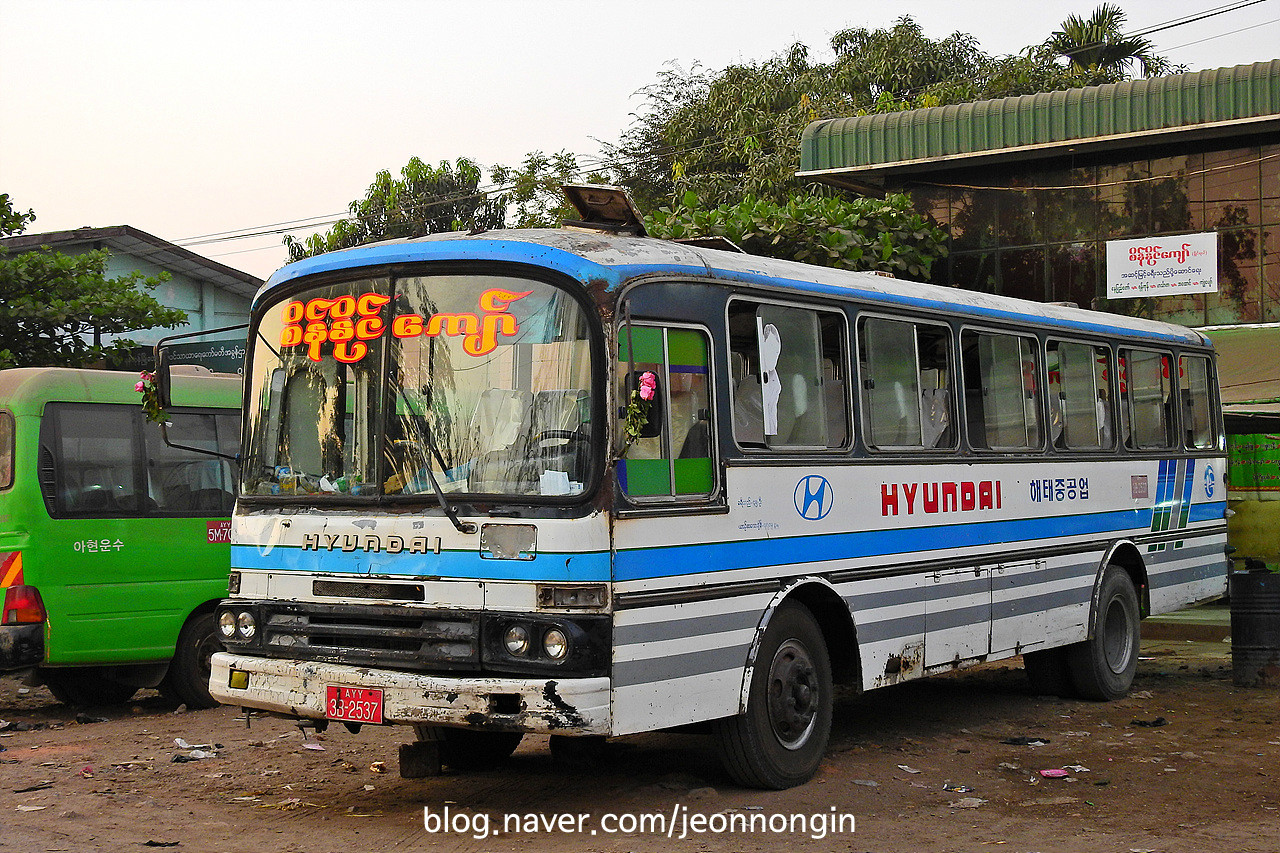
(446, 523)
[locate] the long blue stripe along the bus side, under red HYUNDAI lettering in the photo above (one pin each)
(638, 564)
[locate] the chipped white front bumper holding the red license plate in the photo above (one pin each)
(298, 688)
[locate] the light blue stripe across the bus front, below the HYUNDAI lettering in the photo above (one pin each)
(449, 564)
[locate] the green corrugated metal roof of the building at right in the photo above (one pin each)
(1220, 102)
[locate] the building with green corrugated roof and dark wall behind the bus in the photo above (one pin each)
(1031, 189)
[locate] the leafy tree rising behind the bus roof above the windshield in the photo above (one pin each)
(426, 200)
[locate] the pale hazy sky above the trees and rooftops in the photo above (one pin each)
(193, 118)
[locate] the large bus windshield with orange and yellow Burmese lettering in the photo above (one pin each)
(377, 387)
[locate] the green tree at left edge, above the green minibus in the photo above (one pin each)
(53, 305)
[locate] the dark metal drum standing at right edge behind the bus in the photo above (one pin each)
(1255, 628)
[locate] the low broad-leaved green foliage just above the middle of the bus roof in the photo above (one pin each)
(863, 234)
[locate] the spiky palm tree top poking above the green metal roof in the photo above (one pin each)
(1098, 51)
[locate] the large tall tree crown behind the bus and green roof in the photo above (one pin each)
(737, 133)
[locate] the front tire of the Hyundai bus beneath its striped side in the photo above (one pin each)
(781, 740)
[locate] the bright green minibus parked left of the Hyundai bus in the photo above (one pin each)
(115, 542)
